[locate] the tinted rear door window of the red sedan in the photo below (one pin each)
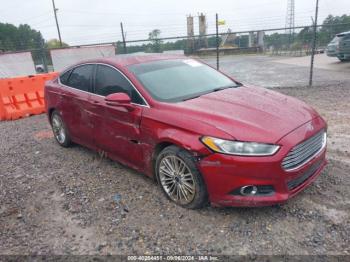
(80, 78)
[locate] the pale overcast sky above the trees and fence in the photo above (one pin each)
(86, 21)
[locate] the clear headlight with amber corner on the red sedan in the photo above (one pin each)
(238, 147)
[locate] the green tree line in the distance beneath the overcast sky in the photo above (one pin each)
(23, 37)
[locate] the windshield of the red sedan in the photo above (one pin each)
(179, 79)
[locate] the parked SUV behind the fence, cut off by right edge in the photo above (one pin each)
(340, 46)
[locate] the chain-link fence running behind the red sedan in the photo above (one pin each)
(238, 52)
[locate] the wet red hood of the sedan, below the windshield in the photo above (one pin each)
(249, 113)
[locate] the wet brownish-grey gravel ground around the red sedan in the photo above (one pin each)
(61, 201)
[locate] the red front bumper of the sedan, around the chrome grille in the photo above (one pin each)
(225, 174)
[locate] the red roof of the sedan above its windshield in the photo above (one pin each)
(130, 59)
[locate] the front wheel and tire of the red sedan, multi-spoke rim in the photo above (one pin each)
(180, 179)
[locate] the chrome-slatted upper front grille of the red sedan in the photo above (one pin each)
(303, 152)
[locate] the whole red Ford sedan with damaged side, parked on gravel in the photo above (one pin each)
(201, 134)
